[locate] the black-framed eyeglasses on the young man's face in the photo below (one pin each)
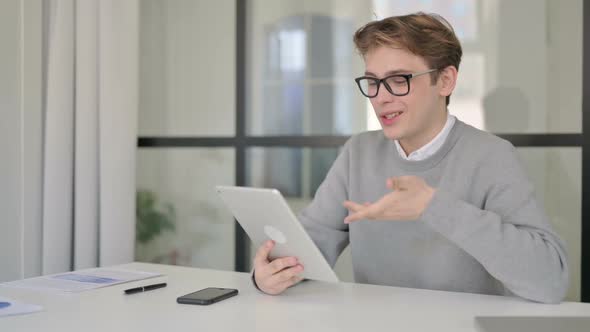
(397, 85)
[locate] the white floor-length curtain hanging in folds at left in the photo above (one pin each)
(90, 133)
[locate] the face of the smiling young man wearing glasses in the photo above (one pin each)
(415, 118)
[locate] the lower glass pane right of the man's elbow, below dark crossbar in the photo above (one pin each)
(557, 176)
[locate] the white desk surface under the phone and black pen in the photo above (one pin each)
(311, 306)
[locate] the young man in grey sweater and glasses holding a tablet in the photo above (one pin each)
(428, 202)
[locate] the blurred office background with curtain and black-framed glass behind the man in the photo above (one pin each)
(188, 94)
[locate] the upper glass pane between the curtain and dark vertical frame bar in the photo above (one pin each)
(187, 68)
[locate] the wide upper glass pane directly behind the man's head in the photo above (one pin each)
(502, 88)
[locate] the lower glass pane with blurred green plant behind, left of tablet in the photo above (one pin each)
(176, 185)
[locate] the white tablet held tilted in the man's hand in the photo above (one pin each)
(264, 214)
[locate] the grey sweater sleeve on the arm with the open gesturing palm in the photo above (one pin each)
(510, 235)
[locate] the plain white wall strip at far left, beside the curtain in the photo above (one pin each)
(20, 134)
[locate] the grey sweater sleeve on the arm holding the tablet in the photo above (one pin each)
(323, 218)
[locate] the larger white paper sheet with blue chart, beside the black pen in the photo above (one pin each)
(83, 280)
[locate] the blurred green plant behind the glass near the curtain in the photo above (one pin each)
(151, 221)
